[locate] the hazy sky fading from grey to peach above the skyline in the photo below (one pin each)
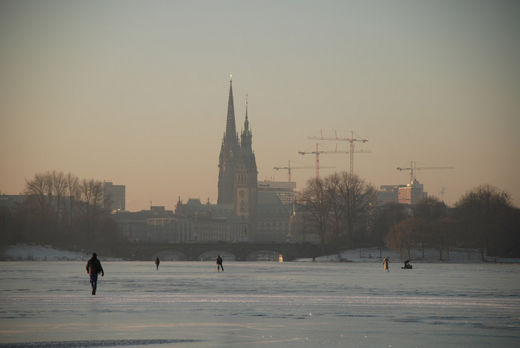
(135, 92)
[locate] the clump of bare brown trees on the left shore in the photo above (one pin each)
(61, 210)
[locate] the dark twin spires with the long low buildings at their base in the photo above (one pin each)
(244, 211)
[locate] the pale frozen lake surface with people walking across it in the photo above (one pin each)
(260, 304)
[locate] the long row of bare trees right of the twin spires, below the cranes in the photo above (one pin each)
(343, 208)
